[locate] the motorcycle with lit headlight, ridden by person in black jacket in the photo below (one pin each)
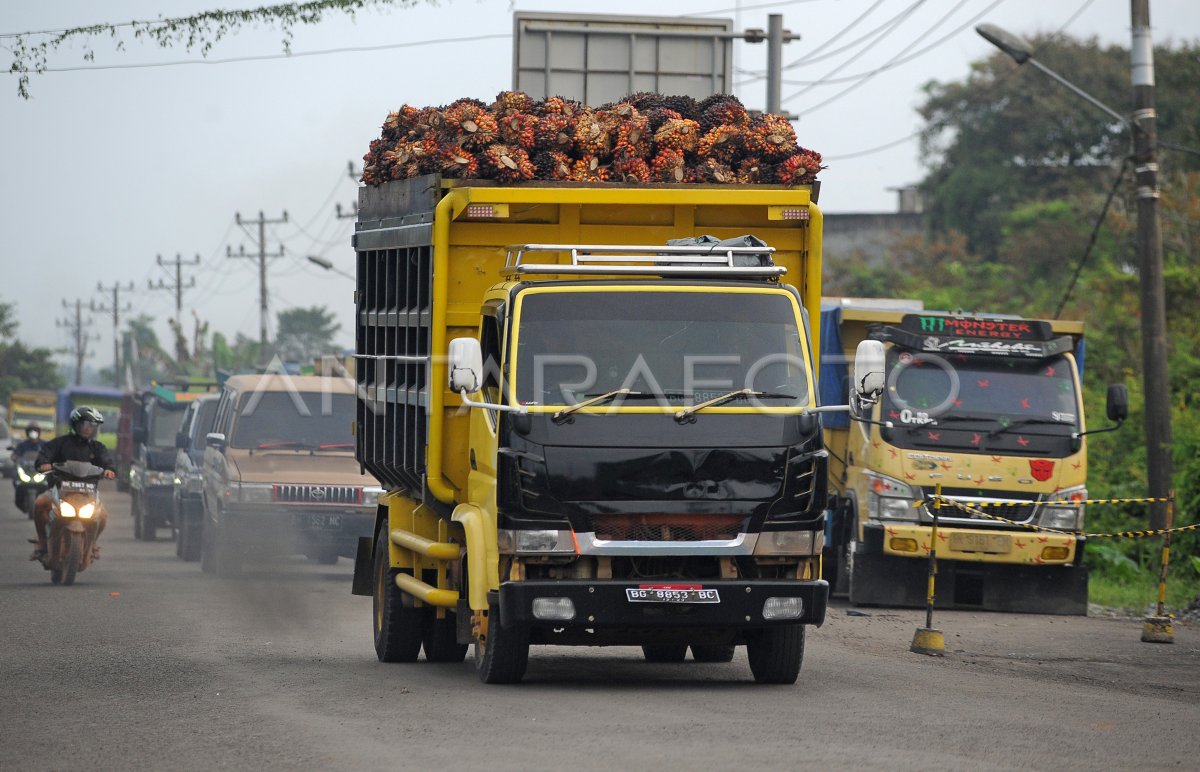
(76, 520)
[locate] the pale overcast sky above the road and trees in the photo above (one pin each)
(106, 169)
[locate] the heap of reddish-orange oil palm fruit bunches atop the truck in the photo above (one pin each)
(644, 139)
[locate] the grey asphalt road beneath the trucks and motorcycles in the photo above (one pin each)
(148, 663)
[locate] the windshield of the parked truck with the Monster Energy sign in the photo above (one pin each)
(975, 399)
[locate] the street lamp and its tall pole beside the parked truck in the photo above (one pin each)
(1150, 241)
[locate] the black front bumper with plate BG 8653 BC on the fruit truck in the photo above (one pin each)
(611, 606)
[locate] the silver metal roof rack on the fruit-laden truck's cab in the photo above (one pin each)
(605, 260)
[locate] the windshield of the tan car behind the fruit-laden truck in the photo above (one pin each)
(295, 420)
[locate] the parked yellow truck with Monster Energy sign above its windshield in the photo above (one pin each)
(989, 411)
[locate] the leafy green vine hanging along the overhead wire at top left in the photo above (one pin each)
(202, 32)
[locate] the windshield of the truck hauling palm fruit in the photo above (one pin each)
(671, 346)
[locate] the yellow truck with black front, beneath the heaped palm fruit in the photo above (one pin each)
(589, 435)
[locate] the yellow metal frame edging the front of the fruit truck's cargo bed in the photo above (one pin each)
(805, 271)
